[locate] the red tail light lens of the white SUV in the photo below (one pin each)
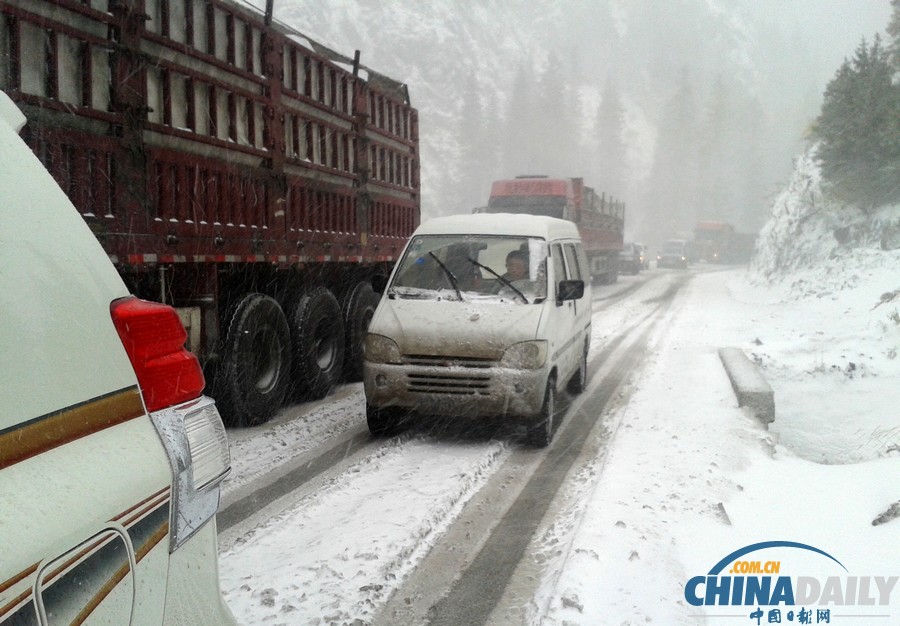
(154, 340)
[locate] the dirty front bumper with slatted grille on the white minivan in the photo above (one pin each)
(452, 389)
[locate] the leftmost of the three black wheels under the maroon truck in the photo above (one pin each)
(253, 377)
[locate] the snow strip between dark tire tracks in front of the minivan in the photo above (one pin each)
(335, 555)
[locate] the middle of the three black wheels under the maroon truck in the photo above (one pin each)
(317, 336)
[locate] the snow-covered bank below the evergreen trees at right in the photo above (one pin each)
(842, 267)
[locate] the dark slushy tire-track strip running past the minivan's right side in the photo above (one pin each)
(470, 576)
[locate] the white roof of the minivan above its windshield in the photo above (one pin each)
(500, 224)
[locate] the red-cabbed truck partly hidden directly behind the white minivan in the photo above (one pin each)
(600, 220)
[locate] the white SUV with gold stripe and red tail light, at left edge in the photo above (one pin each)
(110, 456)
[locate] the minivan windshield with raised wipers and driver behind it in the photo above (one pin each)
(473, 267)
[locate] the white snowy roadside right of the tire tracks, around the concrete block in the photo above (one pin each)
(691, 478)
